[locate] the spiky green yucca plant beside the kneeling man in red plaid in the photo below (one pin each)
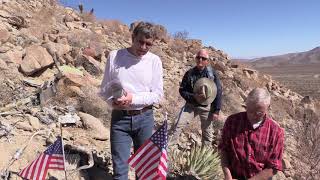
(201, 162)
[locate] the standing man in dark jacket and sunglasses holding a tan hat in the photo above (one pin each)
(192, 108)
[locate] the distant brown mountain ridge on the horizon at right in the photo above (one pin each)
(301, 58)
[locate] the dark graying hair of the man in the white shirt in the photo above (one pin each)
(145, 28)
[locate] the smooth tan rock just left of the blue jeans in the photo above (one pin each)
(98, 131)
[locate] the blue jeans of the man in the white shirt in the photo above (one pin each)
(124, 130)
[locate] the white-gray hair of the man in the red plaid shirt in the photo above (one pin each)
(258, 96)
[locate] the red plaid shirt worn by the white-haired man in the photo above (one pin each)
(249, 150)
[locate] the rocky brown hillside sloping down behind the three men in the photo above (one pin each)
(51, 64)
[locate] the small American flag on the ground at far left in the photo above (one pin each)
(52, 158)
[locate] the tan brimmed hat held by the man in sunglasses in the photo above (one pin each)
(207, 87)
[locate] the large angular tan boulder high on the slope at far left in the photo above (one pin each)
(37, 58)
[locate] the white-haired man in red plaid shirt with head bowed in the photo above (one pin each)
(252, 143)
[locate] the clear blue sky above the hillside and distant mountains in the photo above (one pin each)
(241, 28)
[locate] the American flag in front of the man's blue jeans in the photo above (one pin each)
(150, 160)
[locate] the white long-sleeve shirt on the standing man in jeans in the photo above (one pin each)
(141, 76)
